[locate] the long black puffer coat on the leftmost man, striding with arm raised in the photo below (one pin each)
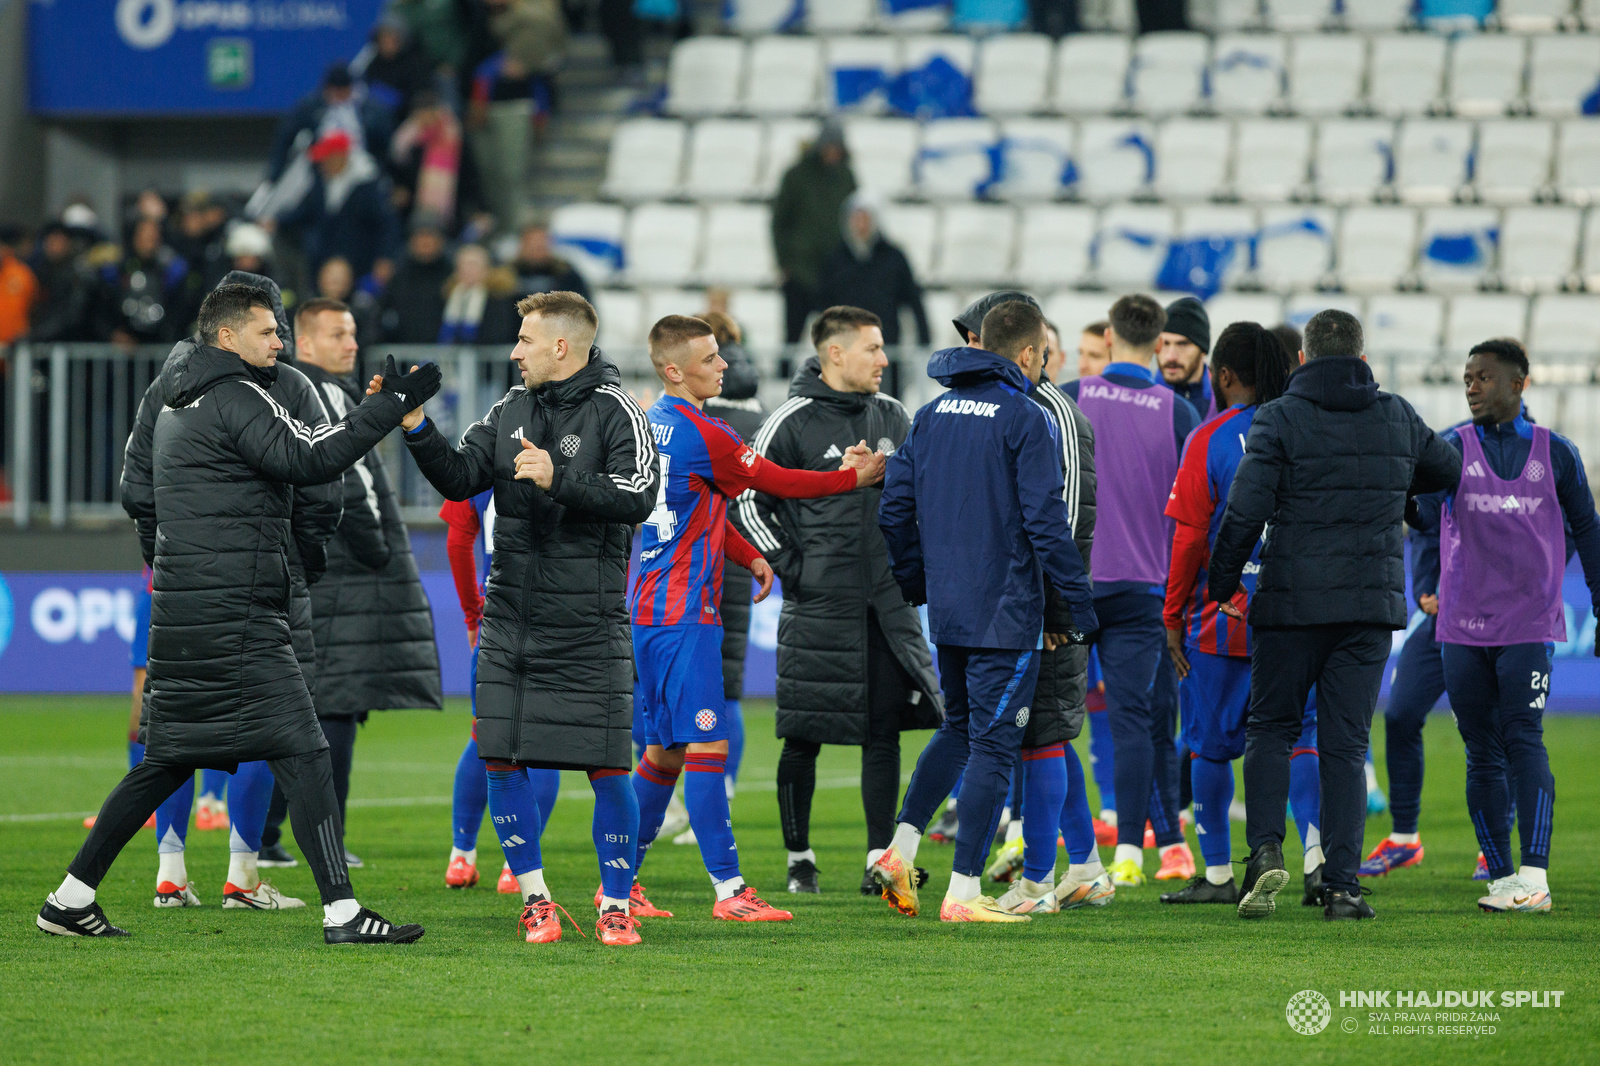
(225, 686)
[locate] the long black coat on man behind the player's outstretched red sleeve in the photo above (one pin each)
(834, 566)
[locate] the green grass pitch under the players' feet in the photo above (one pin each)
(847, 982)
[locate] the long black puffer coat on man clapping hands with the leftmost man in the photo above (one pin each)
(556, 651)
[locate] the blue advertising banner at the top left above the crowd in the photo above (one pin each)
(186, 57)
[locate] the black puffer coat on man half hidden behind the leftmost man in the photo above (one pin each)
(370, 615)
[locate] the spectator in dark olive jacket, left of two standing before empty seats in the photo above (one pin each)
(806, 223)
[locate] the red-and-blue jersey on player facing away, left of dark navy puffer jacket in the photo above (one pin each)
(1198, 502)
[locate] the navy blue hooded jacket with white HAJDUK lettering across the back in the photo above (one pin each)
(974, 510)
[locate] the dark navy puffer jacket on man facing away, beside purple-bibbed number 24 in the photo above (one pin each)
(1330, 467)
